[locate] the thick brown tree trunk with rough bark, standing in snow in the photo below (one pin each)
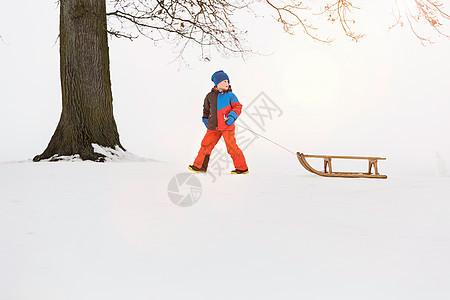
(87, 111)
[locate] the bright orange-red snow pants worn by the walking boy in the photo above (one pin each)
(210, 140)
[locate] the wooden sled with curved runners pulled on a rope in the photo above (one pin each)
(373, 162)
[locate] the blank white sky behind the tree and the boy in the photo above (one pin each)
(385, 96)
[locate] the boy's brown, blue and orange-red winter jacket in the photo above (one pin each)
(217, 106)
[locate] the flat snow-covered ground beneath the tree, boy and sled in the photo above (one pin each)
(83, 230)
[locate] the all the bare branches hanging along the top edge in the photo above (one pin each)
(210, 24)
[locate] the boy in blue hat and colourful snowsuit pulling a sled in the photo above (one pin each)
(220, 109)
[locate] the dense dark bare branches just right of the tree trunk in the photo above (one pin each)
(207, 24)
